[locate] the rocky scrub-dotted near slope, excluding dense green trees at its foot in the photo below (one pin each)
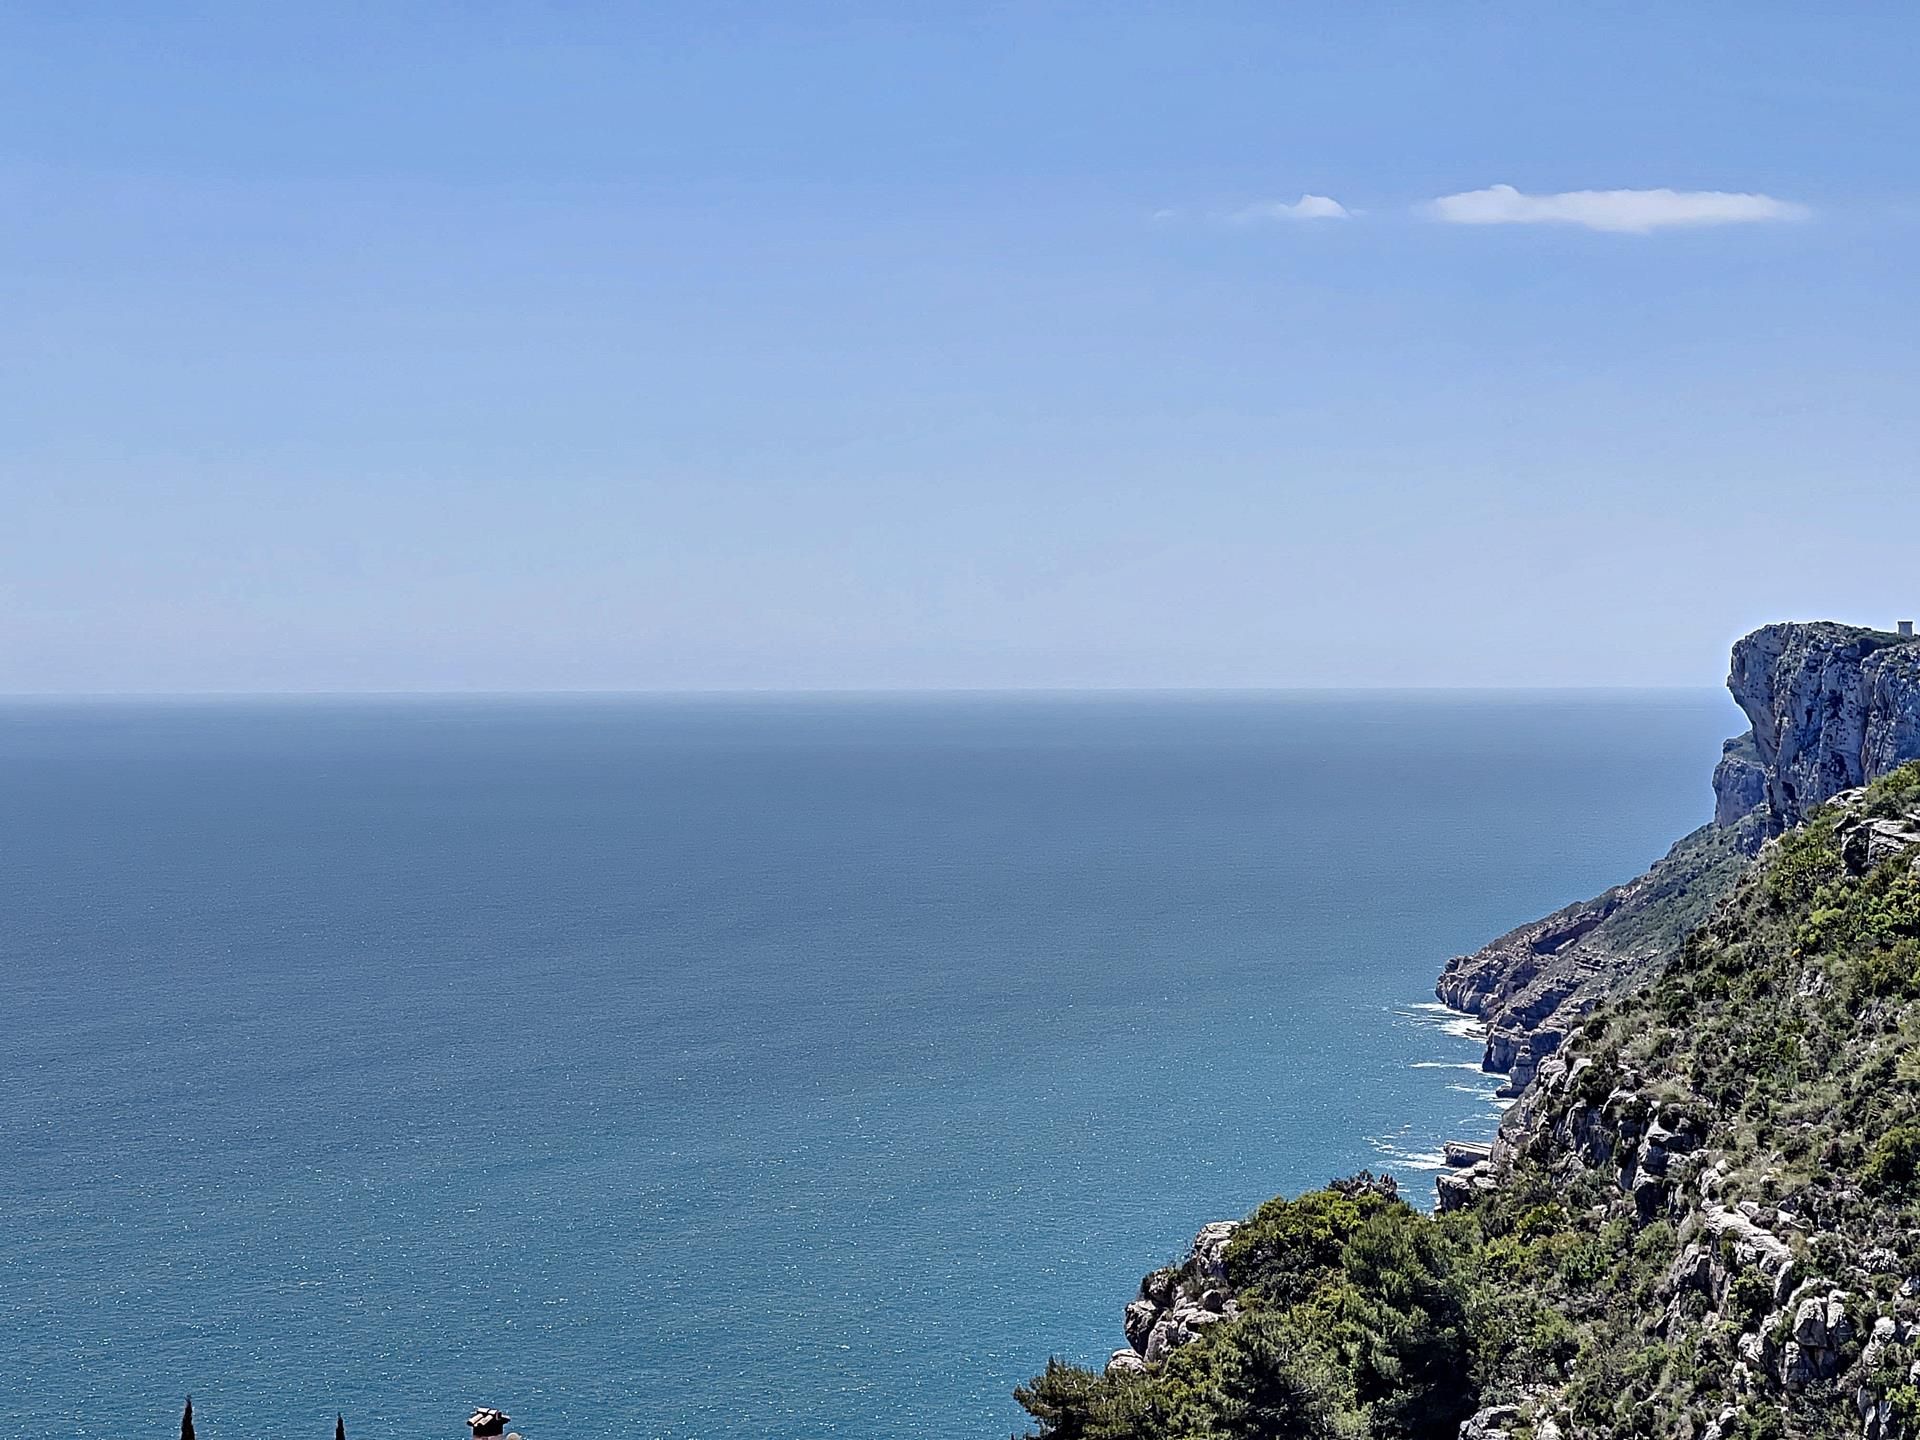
(1752, 1115)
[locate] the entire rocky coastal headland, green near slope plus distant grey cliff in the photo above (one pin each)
(1700, 1218)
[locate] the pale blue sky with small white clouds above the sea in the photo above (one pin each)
(565, 347)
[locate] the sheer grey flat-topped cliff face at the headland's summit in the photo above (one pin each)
(1833, 708)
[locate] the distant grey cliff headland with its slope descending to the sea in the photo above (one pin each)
(1833, 708)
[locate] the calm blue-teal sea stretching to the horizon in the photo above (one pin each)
(759, 1068)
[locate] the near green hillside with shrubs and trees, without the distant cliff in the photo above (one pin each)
(1769, 1072)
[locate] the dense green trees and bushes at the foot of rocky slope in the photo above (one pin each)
(1360, 1318)
